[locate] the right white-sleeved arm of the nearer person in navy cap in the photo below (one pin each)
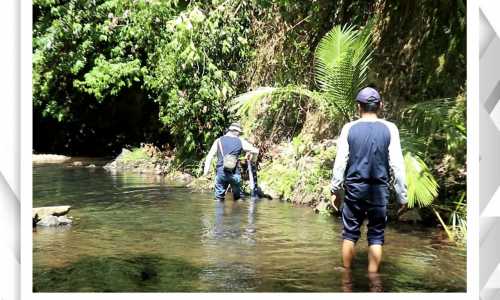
(397, 164)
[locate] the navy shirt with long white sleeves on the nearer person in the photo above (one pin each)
(368, 156)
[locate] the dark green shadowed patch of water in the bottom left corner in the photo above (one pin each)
(144, 273)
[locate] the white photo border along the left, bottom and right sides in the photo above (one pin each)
(472, 189)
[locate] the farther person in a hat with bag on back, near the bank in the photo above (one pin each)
(228, 149)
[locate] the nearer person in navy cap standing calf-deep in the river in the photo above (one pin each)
(368, 153)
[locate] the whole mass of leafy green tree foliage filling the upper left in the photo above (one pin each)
(185, 58)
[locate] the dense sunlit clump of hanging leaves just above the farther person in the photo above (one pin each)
(195, 72)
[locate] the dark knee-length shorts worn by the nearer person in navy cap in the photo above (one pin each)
(353, 215)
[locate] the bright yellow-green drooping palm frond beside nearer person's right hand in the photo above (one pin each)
(422, 186)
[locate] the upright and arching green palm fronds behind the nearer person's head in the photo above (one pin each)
(342, 58)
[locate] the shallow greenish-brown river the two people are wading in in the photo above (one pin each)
(134, 233)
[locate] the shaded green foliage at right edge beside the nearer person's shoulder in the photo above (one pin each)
(435, 130)
